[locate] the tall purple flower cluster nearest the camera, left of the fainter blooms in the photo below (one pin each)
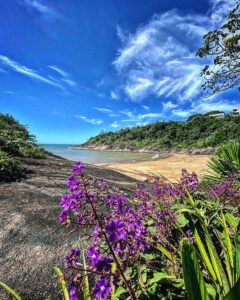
(114, 227)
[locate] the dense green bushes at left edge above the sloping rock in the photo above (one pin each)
(15, 143)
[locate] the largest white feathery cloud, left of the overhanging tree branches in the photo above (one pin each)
(159, 58)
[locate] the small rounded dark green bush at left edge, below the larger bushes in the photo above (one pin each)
(10, 167)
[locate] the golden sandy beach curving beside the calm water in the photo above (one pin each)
(168, 168)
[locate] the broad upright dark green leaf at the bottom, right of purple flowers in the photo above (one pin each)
(193, 279)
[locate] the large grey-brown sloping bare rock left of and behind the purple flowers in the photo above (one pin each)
(32, 241)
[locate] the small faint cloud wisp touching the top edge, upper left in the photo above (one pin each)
(45, 10)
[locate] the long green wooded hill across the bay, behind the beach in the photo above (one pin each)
(199, 131)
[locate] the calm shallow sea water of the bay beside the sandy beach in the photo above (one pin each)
(97, 157)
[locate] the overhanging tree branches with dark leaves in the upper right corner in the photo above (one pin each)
(224, 46)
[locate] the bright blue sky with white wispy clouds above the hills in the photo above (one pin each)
(70, 69)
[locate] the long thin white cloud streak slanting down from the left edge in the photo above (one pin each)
(19, 68)
